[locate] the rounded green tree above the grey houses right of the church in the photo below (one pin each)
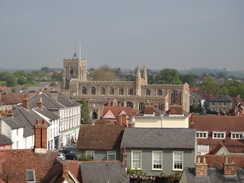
(210, 86)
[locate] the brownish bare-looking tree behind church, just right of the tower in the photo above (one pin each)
(104, 73)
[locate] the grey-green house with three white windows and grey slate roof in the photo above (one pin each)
(157, 151)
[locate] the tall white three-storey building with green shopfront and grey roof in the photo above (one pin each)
(68, 111)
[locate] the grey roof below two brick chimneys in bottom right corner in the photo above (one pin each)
(214, 175)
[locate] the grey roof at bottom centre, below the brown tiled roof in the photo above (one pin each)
(103, 171)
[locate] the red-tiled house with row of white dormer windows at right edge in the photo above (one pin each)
(212, 130)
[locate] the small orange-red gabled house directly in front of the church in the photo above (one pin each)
(118, 114)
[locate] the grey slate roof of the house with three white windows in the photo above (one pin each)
(183, 138)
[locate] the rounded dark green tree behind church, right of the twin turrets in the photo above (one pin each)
(168, 76)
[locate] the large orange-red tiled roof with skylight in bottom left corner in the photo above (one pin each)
(14, 163)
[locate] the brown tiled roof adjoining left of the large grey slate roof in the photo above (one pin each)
(99, 137)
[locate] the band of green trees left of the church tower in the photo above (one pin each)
(21, 77)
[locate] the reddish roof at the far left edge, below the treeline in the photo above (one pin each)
(11, 99)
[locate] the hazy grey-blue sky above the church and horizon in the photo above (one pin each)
(178, 34)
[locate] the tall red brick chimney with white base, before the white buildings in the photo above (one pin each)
(40, 136)
